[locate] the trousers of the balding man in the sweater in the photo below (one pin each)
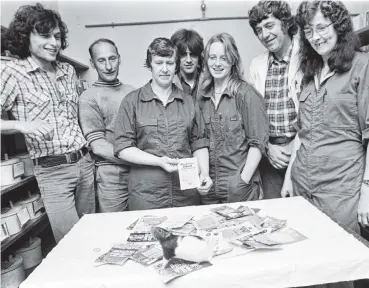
(112, 187)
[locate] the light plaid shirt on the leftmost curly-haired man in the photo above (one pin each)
(29, 93)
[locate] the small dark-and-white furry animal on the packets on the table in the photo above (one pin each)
(190, 248)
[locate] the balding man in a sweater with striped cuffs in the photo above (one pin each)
(98, 108)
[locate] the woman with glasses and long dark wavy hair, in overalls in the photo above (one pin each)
(330, 167)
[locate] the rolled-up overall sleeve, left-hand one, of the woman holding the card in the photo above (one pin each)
(125, 125)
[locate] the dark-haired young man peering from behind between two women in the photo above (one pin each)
(190, 47)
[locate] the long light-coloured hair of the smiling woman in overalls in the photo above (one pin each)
(232, 55)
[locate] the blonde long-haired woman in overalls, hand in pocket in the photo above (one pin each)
(236, 121)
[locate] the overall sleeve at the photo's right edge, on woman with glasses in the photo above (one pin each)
(363, 103)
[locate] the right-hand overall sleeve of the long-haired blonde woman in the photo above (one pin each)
(255, 118)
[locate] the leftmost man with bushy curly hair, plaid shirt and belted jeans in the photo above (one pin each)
(41, 93)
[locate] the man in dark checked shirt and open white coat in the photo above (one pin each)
(276, 75)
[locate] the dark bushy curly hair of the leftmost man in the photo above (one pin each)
(27, 19)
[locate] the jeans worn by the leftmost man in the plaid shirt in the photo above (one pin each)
(68, 193)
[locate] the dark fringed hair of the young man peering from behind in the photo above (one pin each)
(192, 40)
